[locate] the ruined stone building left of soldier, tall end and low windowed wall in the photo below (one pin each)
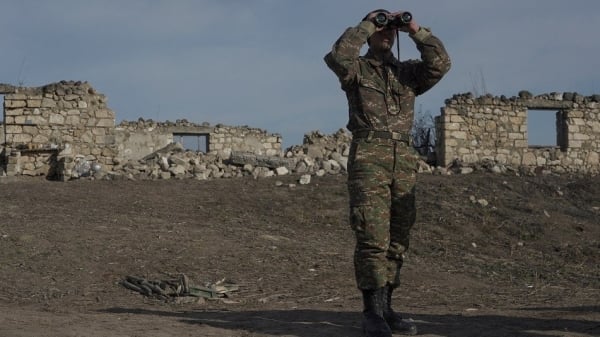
(50, 130)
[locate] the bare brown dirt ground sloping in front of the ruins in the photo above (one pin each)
(491, 255)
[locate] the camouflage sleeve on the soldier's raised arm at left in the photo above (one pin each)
(343, 58)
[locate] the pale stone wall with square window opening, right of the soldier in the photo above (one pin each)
(494, 130)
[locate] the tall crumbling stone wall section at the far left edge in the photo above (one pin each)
(50, 130)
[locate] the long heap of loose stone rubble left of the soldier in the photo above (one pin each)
(318, 155)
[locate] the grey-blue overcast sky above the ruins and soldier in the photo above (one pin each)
(260, 62)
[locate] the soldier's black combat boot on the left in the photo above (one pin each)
(373, 323)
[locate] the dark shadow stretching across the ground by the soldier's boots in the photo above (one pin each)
(310, 323)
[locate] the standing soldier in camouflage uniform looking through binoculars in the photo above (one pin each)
(381, 92)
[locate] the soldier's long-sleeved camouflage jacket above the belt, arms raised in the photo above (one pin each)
(381, 92)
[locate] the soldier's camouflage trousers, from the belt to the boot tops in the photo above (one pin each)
(381, 184)
